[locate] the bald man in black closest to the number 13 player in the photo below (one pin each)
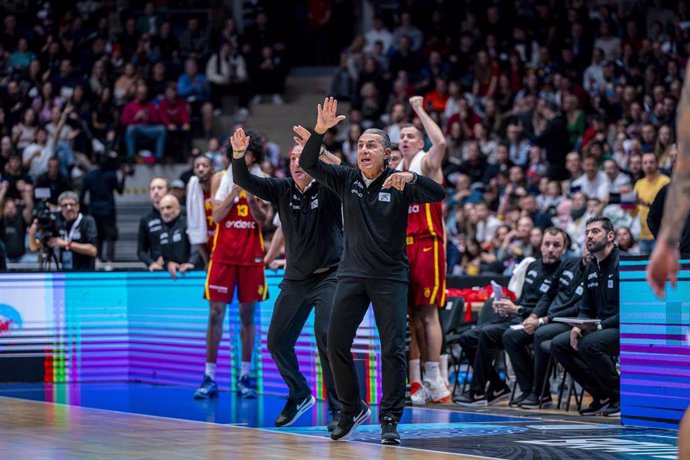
(175, 247)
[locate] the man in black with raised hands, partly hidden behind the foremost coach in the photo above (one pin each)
(311, 221)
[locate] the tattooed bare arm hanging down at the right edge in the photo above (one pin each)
(663, 263)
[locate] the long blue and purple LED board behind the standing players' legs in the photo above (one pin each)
(145, 327)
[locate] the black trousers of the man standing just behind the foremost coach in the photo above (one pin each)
(291, 311)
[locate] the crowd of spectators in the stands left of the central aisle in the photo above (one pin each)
(87, 89)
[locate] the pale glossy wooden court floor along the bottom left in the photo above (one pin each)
(40, 430)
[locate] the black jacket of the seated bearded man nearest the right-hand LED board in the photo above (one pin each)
(601, 299)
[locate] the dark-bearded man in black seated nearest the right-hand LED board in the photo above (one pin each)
(587, 352)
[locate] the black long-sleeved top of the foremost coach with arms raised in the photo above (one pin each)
(375, 220)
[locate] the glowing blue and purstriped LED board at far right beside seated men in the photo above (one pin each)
(655, 354)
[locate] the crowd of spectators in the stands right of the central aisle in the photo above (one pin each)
(554, 112)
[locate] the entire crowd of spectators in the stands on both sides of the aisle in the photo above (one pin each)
(553, 112)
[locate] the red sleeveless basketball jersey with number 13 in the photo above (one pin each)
(238, 239)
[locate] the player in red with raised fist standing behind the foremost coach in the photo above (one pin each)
(426, 254)
